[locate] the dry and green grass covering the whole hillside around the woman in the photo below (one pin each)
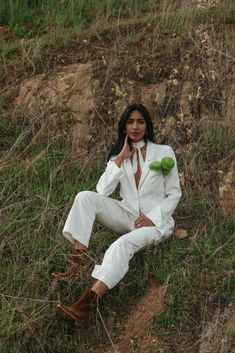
(39, 177)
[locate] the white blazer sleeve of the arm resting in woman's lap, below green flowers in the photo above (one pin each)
(161, 213)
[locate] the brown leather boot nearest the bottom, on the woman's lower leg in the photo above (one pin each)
(83, 310)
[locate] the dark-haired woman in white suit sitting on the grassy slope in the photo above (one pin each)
(143, 216)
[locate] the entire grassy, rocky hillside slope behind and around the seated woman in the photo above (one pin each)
(63, 88)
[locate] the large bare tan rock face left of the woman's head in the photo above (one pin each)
(66, 100)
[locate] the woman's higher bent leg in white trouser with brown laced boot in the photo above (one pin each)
(89, 206)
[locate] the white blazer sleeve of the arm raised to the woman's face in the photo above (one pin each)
(109, 179)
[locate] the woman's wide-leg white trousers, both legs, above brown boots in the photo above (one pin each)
(90, 206)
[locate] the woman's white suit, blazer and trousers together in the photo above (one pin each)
(156, 197)
